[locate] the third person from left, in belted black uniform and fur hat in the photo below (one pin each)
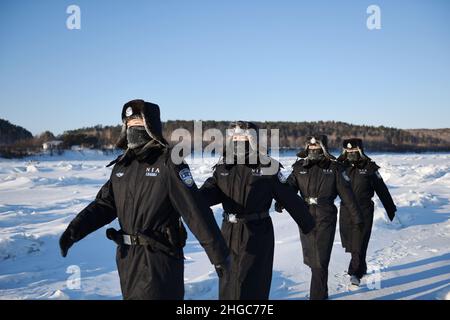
(320, 179)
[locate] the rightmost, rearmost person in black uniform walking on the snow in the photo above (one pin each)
(366, 180)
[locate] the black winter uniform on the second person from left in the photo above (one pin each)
(244, 190)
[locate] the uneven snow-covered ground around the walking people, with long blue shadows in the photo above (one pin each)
(408, 259)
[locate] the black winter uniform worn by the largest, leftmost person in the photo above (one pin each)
(148, 195)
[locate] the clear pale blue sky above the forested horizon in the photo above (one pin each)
(224, 60)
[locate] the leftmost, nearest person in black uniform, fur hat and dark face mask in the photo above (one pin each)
(148, 193)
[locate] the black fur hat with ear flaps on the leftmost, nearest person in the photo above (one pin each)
(149, 112)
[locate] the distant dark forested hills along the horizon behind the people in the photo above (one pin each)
(17, 141)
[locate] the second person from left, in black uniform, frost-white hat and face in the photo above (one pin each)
(245, 183)
